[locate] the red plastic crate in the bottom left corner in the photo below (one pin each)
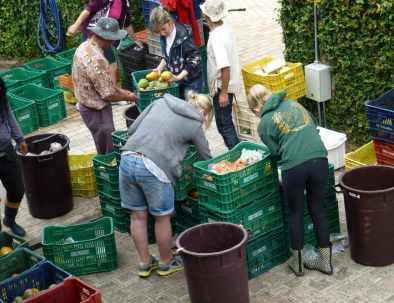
(72, 290)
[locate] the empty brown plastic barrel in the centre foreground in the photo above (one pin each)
(214, 257)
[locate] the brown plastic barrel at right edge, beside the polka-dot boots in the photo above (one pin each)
(369, 205)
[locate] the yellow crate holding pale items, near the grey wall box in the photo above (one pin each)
(293, 80)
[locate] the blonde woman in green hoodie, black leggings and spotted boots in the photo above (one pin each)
(290, 133)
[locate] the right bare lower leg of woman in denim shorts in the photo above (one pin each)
(163, 232)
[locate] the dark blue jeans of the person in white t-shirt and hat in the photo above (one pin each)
(224, 120)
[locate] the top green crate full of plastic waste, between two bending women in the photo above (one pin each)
(227, 188)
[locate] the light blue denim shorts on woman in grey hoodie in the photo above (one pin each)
(141, 190)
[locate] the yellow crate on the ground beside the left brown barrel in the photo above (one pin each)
(83, 180)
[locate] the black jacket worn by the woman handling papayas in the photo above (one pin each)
(183, 54)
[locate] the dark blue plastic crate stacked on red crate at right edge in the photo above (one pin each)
(380, 114)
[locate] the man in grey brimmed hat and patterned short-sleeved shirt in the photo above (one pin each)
(93, 85)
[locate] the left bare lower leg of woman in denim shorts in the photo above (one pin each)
(139, 234)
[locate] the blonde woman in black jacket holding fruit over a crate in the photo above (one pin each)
(181, 56)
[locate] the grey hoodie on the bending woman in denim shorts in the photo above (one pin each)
(164, 131)
